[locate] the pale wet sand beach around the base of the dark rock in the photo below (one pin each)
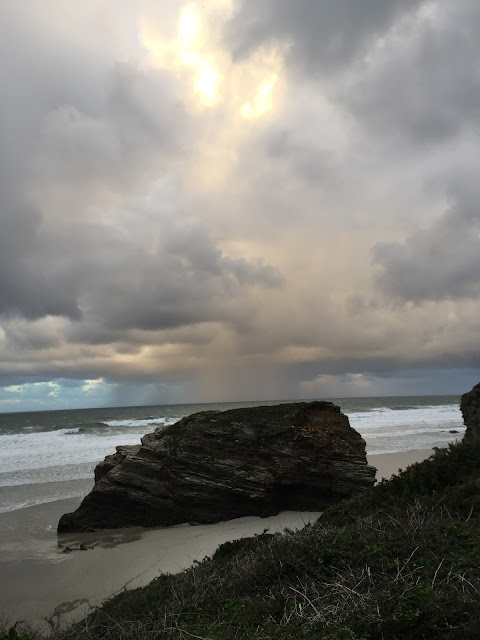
(48, 578)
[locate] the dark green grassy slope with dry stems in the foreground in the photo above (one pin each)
(402, 561)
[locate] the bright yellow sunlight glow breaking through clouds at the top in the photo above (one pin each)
(195, 54)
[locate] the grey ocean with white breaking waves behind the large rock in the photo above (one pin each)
(48, 456)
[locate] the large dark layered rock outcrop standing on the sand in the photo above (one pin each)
(215, 465)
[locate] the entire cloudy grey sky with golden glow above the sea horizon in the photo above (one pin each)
(238, 200)
